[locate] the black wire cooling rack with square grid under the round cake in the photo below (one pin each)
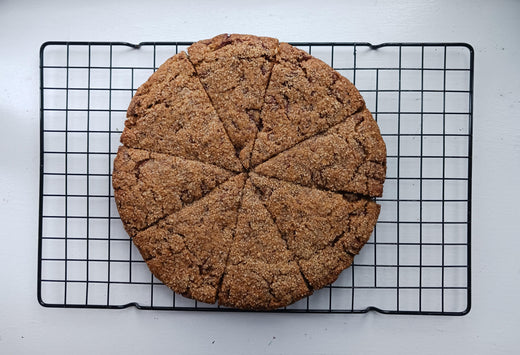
(418, 260)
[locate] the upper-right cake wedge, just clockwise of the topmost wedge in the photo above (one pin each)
(305, 97)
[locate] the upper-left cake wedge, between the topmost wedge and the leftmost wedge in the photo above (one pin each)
(172, 114)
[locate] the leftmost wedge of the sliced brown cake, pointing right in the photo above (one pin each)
(148, 186)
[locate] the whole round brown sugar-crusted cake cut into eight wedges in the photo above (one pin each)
(247, 172)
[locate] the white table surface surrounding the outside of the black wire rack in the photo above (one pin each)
(492, 326)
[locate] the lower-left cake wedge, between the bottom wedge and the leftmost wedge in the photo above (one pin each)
(188, 250)
